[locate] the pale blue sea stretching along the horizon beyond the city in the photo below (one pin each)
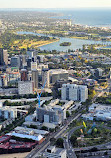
(85, 16)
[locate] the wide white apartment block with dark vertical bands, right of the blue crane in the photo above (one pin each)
(74, 92)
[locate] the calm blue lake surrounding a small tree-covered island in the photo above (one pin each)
(75, 43)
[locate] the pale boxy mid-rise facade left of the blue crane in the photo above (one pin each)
(25, 87)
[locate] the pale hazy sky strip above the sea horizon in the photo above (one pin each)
(53, 3)
